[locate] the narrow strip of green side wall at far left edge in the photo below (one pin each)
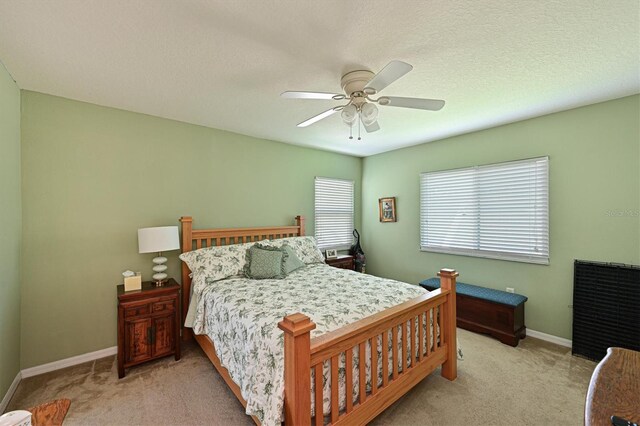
(11, 230)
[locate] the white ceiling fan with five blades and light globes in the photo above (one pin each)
(358, 87)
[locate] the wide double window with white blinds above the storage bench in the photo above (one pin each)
(498, 211)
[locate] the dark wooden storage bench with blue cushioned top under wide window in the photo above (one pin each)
(484, 310)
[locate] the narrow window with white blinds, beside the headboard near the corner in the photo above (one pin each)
(334, 213)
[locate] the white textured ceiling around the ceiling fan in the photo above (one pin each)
(223, 64)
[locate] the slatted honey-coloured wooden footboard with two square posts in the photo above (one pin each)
(303, 354)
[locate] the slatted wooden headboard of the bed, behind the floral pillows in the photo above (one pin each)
(193, 239)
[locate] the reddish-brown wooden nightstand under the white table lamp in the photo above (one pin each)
(148, 323)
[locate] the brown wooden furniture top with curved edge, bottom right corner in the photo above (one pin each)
(614, 389)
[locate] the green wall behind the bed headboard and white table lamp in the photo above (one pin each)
(93, 175)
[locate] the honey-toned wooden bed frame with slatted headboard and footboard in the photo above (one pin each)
(302, 353)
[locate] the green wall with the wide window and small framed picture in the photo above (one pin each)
(594, 203)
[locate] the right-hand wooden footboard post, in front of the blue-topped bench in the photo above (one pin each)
(448, 282)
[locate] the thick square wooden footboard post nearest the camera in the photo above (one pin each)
(297, 368)
